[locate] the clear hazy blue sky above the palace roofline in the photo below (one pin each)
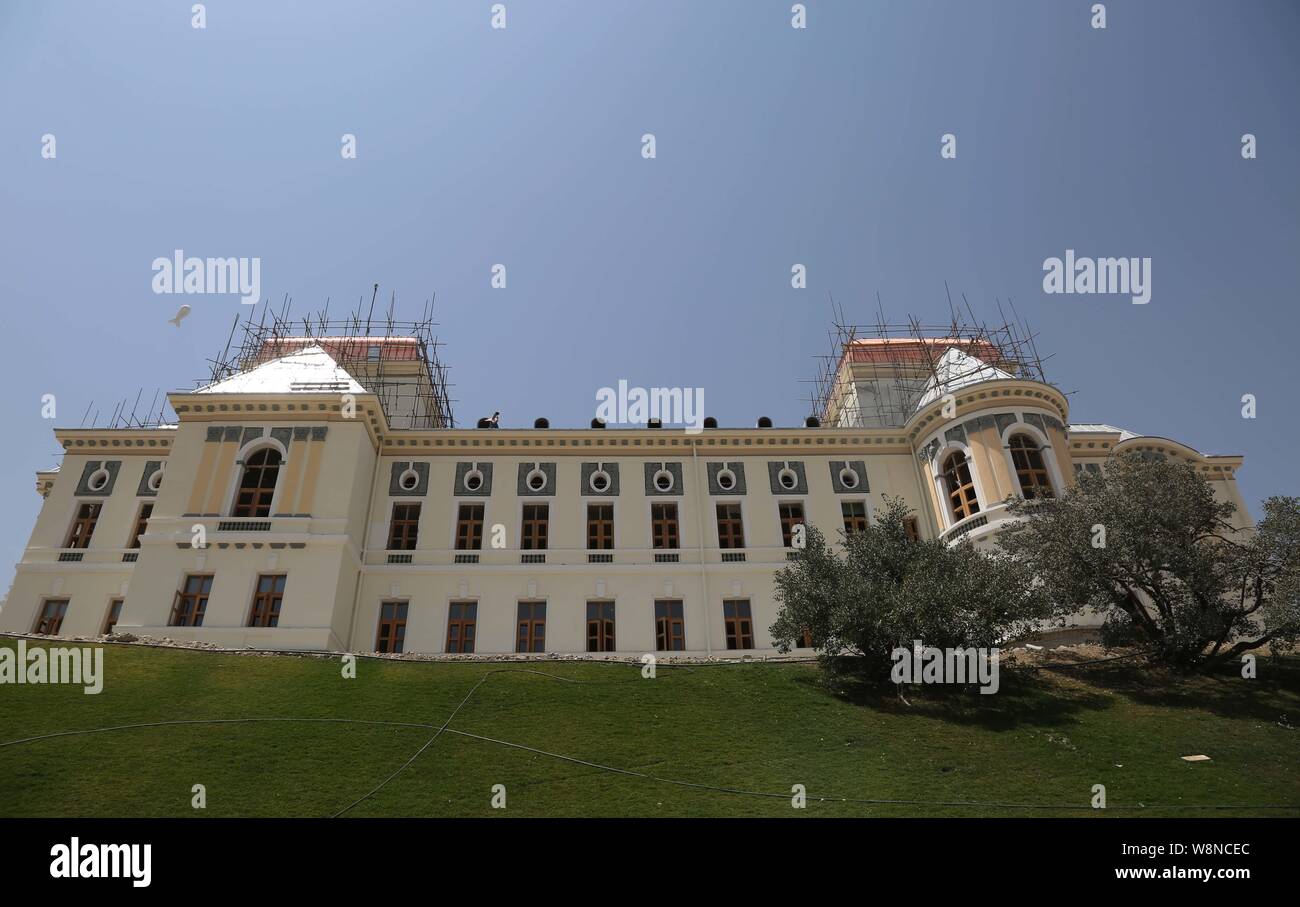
(775, 146)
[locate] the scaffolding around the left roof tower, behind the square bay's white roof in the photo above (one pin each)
(396, 361)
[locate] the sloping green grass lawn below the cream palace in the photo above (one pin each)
(1045, 740)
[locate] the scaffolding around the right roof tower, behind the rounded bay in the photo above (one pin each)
(878, 375)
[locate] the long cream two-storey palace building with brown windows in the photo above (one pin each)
(317, 498)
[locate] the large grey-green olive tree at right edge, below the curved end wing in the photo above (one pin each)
(1147, 544)
